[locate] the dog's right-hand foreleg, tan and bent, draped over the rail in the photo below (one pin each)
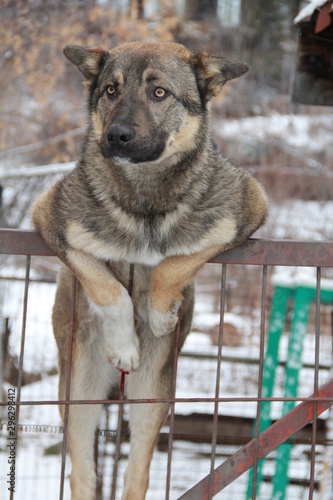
(168, 280)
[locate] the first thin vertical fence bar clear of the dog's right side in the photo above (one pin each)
(218, 376)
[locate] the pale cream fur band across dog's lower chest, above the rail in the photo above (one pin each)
(149, 240)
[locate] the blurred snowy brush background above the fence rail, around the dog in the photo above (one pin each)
(260, 121)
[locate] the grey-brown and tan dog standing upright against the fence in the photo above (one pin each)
(150, 188)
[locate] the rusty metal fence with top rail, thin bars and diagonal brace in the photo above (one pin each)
(255, 252)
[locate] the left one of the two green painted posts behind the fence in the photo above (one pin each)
(281, 297)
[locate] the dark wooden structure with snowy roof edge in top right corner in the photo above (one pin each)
(314, 73)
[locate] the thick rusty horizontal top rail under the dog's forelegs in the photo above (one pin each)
(254, 251)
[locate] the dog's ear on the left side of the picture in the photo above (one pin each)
(88, 61)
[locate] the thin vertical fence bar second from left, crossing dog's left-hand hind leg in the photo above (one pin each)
(68, 390)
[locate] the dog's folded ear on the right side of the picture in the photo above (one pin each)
(213, 72)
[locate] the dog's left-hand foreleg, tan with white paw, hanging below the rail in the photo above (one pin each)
(111, 302)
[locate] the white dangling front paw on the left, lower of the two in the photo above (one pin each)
(123, 355)
